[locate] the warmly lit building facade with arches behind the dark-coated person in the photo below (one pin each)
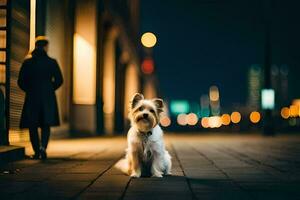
(96, 43)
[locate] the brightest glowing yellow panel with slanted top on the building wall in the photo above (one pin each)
(84, 71)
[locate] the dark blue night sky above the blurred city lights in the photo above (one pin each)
(214, 42)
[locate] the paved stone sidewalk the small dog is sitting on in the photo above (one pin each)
(204, 167)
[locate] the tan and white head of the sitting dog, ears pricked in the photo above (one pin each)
(144, 113)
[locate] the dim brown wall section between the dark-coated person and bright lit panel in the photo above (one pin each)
(59, 29)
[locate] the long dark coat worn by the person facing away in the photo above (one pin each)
(39, 77)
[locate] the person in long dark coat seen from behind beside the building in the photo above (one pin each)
(39, 77)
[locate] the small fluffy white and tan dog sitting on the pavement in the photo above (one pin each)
(146, 153)
